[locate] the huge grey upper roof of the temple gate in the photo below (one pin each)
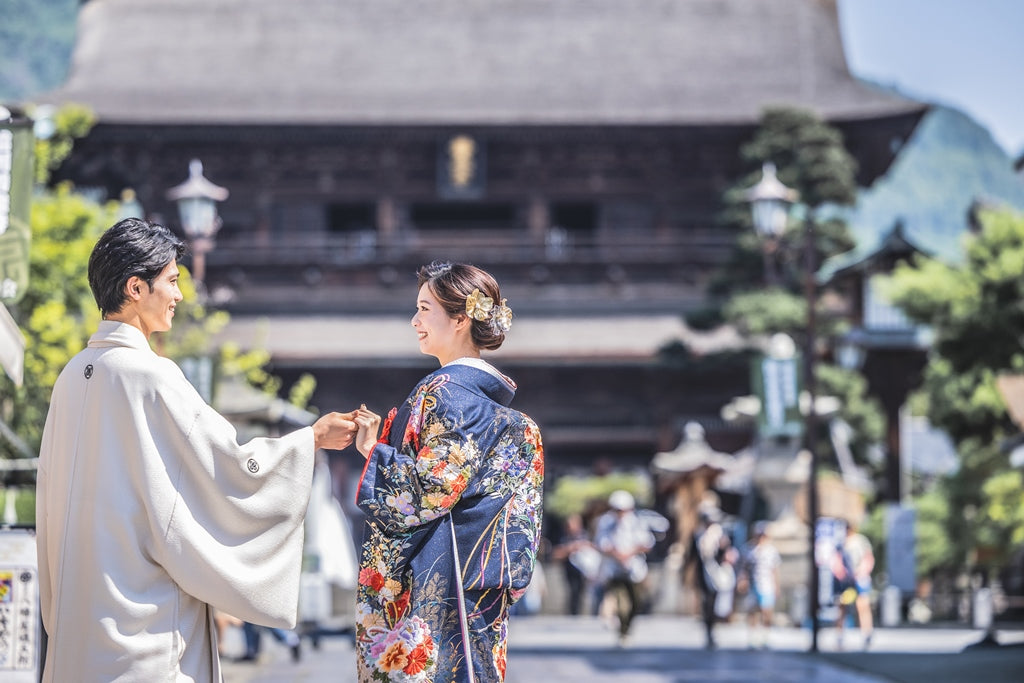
(463, 62)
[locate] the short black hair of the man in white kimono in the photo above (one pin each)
(131, 248)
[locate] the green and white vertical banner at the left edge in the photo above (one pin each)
(17, 175)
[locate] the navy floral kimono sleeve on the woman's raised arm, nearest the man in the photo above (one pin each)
(407, 487)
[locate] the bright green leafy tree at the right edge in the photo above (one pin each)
(976, 310)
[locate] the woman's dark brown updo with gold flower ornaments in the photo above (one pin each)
(453, 284)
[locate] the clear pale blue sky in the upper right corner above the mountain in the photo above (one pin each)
(965, 54)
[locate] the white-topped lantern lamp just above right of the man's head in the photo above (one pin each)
(197, 199)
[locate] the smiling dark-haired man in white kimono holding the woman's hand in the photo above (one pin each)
(149, 513)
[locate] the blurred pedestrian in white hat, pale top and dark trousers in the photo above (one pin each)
(624, 539)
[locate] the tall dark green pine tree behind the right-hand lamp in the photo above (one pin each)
(810, 158)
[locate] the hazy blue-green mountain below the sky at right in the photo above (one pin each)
(949, 163)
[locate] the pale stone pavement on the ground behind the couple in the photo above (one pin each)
(670, 650)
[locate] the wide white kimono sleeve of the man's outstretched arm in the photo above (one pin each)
(233, 535)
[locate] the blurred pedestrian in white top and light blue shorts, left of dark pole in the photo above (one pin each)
(760, 581)
